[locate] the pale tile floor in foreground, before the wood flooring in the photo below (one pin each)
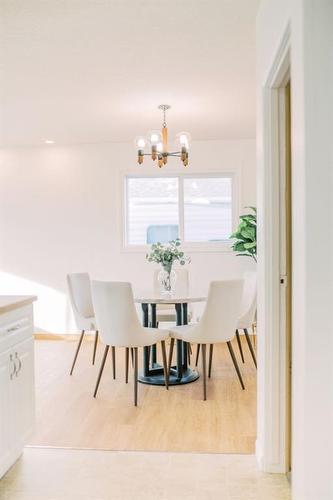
(60, 474)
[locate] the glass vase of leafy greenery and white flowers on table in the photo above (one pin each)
(166, 255)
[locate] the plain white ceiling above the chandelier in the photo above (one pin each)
(95, 70)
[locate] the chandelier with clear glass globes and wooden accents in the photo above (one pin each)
(158, 142)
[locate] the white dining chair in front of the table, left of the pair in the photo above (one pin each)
(119, 326)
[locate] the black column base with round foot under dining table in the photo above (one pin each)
(152, 371)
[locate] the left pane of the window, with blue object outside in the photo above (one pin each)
(152, 210)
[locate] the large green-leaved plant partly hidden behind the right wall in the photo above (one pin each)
(245, 236)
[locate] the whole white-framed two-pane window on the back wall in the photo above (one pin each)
(198, 209)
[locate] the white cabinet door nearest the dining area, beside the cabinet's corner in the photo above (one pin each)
(24, 390)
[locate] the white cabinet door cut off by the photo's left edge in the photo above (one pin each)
(7, 371)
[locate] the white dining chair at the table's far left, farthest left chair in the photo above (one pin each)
(82, 306)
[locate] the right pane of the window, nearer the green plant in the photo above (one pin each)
(208, 208)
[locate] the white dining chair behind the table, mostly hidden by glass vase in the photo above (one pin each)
(165, 312)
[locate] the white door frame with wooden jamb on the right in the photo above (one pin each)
(273, 447)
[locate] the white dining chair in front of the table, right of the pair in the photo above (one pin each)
(217, 324)
